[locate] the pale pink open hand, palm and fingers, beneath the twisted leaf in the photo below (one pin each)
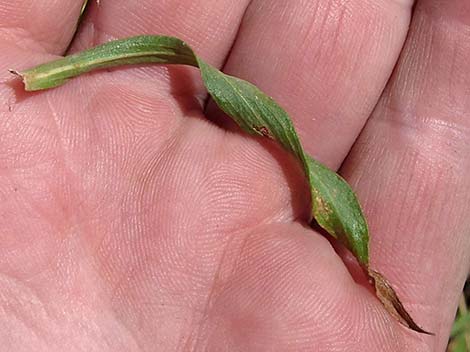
(133, 218)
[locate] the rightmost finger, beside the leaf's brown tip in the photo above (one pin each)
(410, 167)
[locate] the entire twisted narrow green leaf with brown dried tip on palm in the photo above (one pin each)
(334, 205)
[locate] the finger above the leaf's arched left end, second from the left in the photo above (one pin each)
(209, 26)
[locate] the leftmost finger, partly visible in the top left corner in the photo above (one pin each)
(42, 26)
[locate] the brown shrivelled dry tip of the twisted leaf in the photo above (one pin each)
(387, 295)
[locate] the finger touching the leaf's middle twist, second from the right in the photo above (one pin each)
(325, 62)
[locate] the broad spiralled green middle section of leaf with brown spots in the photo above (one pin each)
(334, 205)
